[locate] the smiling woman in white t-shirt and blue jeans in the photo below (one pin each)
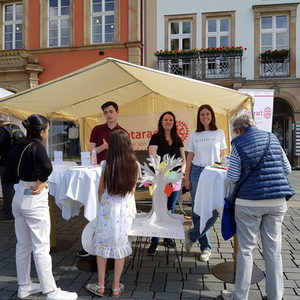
(206, 146)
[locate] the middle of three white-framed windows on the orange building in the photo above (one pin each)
(59, 26)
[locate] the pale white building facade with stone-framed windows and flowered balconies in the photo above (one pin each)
(252, 45)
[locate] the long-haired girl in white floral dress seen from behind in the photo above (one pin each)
(116, 211)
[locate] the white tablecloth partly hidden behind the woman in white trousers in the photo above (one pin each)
(56, 176)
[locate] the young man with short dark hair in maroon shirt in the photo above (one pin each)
(100, 133)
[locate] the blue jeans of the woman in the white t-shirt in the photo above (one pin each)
(194, 233)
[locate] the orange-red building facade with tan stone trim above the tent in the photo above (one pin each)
(41, 40)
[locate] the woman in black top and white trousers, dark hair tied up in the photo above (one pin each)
(30, 166)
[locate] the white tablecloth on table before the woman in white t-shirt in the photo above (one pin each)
(211, 190)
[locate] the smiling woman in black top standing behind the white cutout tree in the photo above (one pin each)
(167, 141)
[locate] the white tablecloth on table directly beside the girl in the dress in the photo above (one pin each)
(79, 187)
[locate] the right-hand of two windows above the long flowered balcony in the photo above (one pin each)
(218, 32)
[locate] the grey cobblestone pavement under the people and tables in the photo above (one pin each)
(157, 278)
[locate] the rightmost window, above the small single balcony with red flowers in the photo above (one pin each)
(274, 33)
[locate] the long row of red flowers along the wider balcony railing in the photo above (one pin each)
(195, 51)
